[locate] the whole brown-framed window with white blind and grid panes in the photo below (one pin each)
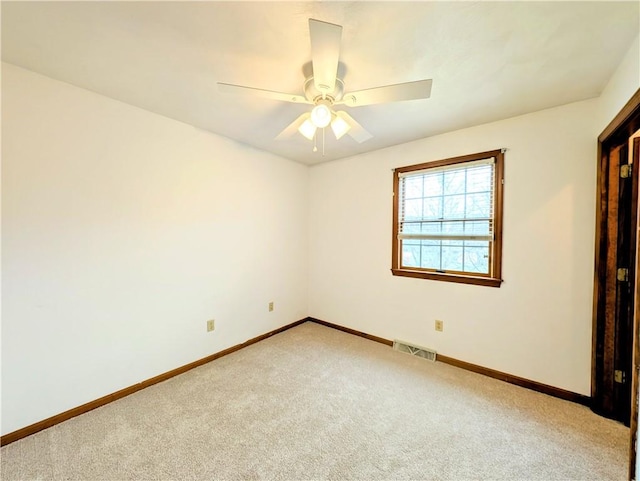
(447, 219)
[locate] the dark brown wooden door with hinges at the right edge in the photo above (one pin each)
(615, 282)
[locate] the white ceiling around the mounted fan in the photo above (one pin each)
(488, 60)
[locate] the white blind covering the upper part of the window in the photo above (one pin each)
(454, 203)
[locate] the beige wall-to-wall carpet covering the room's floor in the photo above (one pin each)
(316, 403)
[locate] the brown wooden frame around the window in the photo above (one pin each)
(494, 279)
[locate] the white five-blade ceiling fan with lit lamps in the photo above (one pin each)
(325, 90)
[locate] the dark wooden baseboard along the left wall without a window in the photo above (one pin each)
(71, 413)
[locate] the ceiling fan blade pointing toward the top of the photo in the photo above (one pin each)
(325, 53)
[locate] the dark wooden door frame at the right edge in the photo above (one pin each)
(603, 332)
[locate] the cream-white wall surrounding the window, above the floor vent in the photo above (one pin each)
(538, 324)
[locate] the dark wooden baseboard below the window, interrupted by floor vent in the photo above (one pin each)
(518, 381)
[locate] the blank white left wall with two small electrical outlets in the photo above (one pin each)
(122, 233)
